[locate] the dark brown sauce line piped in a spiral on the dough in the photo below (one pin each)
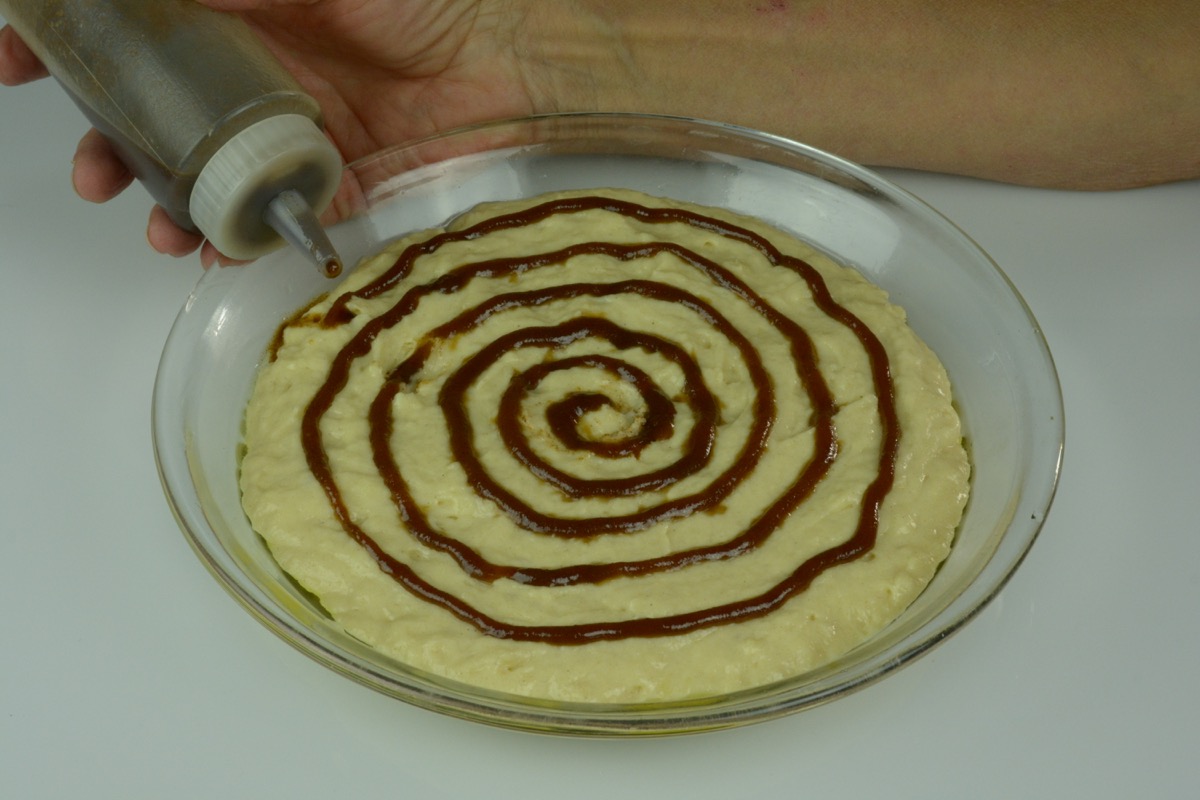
(565, 416)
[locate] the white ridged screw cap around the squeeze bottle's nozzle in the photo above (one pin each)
(235, 189)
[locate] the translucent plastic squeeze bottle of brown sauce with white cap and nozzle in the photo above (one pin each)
(201, 112)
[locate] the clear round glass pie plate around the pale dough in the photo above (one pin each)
(957, 299)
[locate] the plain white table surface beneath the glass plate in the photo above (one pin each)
(128, 672)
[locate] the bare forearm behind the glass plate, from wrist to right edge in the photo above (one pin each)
(1060, 94)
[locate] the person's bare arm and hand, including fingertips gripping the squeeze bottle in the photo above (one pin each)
(1070, 94)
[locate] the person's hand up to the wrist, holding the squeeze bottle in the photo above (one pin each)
(385, 71)
